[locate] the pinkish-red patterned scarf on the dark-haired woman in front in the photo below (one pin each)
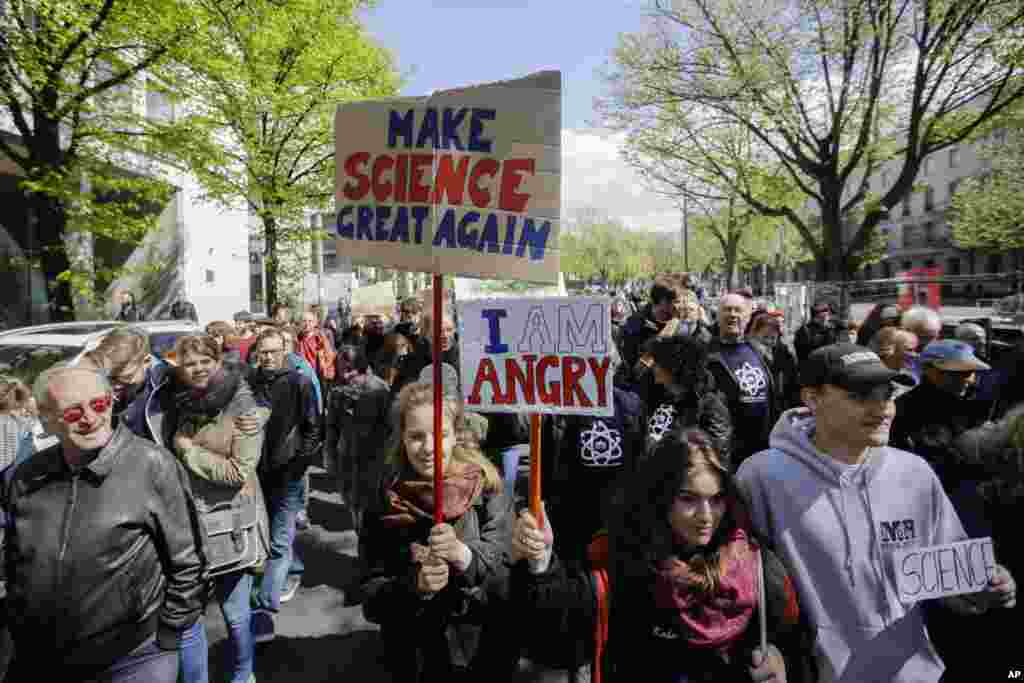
(712, 620)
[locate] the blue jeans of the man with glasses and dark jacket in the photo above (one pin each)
(285, 499)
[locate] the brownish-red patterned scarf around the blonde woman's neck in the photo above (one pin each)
(411, 501)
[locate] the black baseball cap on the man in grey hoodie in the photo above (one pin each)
(848, 366)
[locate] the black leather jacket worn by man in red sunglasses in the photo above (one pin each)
(100, 561)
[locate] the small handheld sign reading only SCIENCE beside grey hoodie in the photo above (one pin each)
(938, 572)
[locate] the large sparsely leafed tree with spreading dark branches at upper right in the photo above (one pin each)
(829, 94)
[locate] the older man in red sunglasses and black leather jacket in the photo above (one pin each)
(102, 554)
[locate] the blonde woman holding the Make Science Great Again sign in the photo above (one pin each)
(436, 588)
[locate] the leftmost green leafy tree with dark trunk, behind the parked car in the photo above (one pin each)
(69, 70)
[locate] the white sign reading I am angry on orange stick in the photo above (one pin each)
(537, 356)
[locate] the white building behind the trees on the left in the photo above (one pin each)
(200, 250)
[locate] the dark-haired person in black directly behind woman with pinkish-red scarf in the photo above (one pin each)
(680, 393)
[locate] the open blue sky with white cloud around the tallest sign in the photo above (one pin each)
(450, 44)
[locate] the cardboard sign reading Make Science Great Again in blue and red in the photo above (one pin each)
(464, 182)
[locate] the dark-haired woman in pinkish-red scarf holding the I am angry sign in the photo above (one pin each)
(675, 594)
